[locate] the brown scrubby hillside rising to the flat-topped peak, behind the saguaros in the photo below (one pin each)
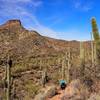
(32, 53)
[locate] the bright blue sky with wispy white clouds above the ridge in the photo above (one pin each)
(60, 19)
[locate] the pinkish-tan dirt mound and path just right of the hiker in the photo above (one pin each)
(71, 91)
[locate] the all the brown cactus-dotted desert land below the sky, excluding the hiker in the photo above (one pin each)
(34, 56)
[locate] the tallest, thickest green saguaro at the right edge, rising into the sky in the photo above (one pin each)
(96, 37)
